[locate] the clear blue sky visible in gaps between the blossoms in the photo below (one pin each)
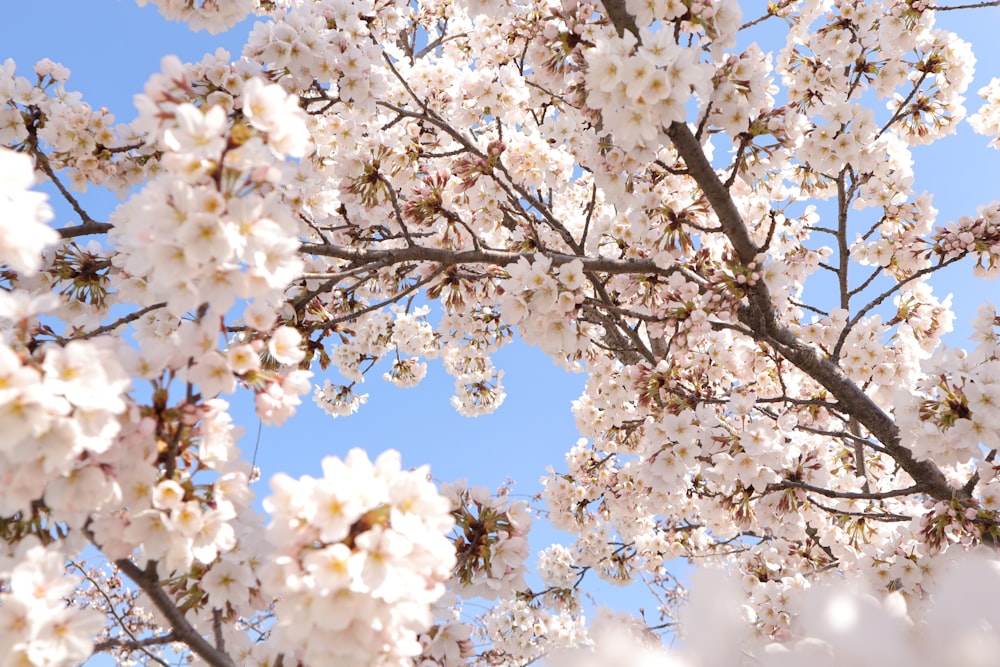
(113, 46)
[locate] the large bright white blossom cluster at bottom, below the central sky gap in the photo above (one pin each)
(361, 554)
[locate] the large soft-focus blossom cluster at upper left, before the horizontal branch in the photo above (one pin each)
(211, 229)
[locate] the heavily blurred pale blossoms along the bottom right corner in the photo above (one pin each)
(844, 624)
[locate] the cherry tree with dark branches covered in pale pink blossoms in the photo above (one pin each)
(639, 189)
